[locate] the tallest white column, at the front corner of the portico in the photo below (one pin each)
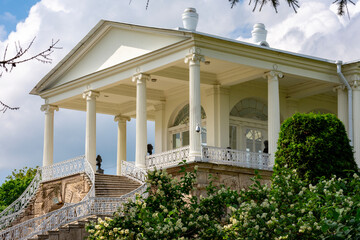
(194, 59)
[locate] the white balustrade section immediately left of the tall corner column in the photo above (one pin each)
(167, 159)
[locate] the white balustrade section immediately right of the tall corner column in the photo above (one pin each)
(236, 157)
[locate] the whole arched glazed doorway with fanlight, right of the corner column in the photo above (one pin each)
(248, 125)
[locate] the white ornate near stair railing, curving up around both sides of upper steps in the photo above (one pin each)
(90, 205)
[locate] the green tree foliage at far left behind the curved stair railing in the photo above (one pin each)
(14, 185)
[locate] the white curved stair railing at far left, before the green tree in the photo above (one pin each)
(12, 212)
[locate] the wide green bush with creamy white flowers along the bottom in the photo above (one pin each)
(290, 208)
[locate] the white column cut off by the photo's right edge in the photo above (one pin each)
(356, 120)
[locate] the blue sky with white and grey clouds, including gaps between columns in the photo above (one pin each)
(314, 30)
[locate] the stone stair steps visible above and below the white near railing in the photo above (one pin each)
(105, 186)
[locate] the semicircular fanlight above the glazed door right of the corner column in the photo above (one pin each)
(250, 108)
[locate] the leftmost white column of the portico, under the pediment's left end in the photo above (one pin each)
(48, 154)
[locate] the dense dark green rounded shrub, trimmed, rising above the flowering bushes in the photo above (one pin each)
(316, 145)
